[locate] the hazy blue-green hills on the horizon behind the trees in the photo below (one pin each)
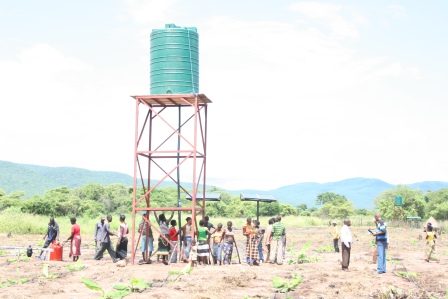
(34, 179)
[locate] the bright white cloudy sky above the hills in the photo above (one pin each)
(302, 91)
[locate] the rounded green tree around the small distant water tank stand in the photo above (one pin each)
(413, 202)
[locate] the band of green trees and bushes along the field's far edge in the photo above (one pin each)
(92, 200)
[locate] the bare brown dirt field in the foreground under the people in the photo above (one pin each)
(321, 279)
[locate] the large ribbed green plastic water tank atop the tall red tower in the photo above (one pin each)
(174, 60)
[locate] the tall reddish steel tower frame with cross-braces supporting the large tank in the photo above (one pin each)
(156, 105)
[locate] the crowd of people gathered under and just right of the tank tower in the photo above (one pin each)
(210, 244)
